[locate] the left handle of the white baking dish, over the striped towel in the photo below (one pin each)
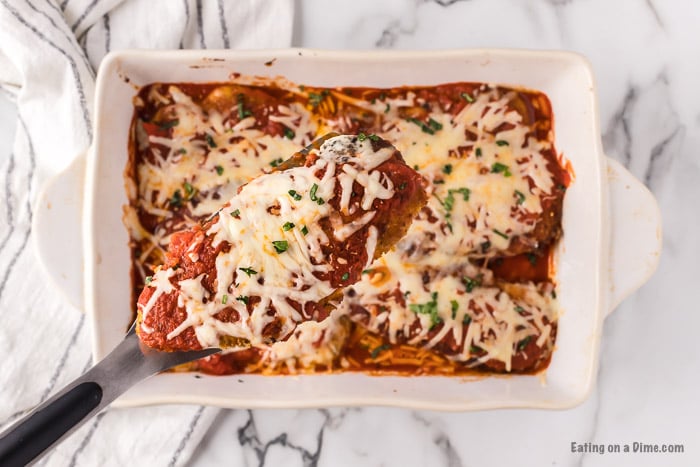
(57, 233)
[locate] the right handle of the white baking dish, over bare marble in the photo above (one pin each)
(635, 227)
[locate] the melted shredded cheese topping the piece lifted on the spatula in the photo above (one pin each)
(270, 258)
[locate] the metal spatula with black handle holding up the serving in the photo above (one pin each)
(50, 422)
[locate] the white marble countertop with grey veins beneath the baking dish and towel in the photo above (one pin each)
(645, 57)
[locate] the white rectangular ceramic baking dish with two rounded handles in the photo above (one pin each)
(611, 243)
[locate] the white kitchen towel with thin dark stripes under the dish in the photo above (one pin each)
(49, 51)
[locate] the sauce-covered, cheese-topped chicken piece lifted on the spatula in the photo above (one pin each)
(283, 248)
